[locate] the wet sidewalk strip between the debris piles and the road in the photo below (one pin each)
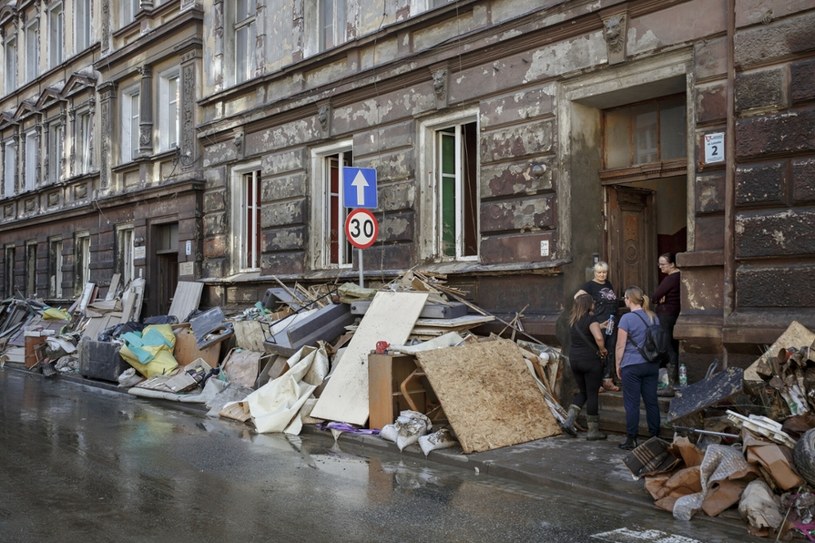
(561, 462)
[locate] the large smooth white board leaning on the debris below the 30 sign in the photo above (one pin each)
(390, 318)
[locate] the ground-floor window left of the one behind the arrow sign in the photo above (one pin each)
(246, 207)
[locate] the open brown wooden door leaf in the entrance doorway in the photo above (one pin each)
(631, 239)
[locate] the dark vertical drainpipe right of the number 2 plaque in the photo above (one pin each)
(729, 294)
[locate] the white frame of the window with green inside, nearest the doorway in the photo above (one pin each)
(431, 245)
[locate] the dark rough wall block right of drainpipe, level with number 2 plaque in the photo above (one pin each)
(758, 136)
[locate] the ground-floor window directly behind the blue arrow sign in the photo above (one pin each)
(330, 248)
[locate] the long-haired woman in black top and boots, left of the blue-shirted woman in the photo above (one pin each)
(587, 342)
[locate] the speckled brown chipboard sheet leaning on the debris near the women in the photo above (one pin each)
(490, 398)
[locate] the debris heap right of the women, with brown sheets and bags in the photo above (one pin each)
(745, 439)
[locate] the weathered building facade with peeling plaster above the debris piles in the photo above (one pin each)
(514, 144)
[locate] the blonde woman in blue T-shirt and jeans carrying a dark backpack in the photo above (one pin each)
(638, 376)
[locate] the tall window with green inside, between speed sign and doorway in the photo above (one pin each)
(450, 200)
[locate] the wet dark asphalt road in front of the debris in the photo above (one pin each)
(81, 463)
